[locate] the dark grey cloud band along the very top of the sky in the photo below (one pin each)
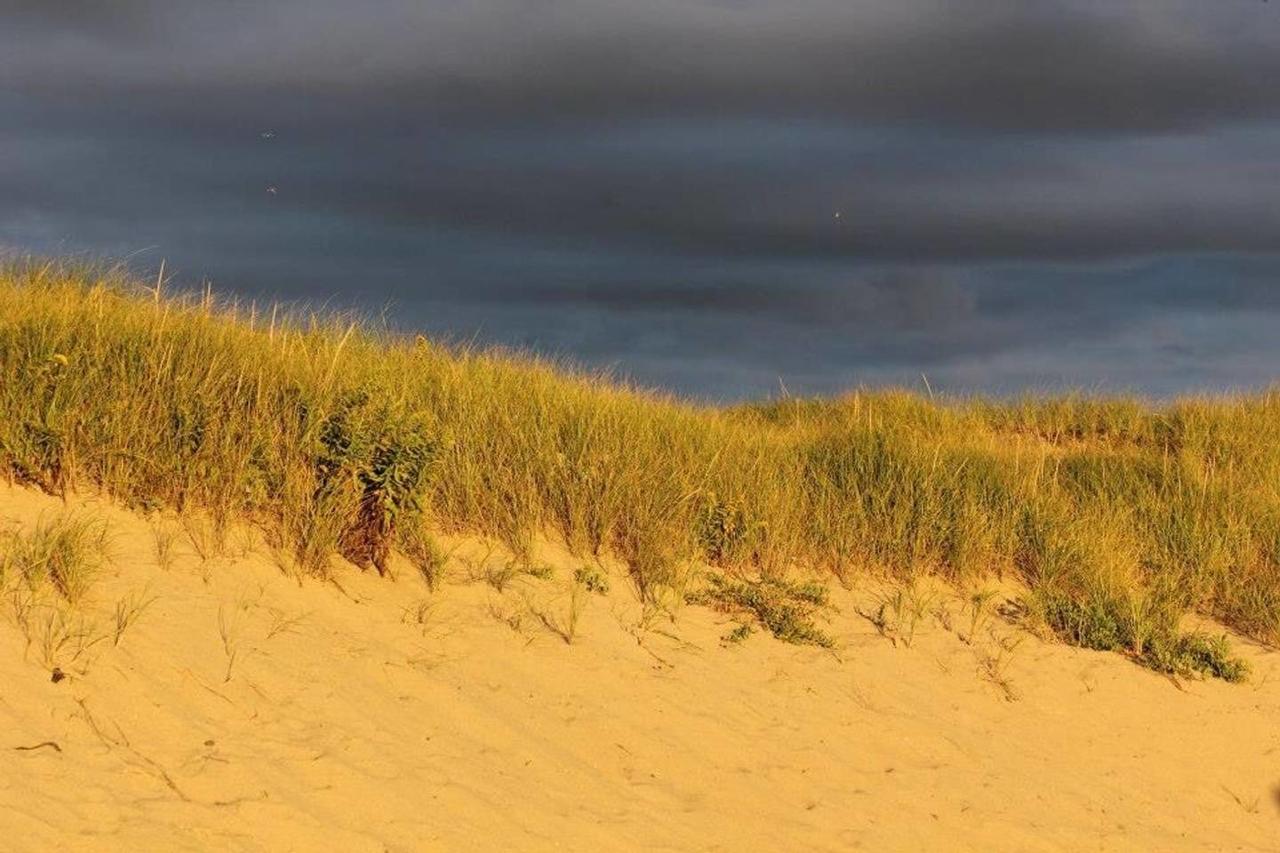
(1040, 65)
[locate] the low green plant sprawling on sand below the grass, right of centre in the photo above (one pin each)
(785, 609)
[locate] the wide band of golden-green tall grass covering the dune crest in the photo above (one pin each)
(344, 440)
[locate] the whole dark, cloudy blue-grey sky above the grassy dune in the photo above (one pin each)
(725, 199)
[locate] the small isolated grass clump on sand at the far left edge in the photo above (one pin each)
(63, 553)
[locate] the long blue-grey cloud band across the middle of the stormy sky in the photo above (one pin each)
(711, 191)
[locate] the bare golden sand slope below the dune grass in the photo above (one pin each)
(348, 723)
